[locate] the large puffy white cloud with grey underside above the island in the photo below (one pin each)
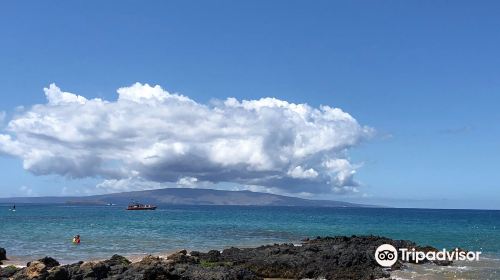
(154, 136)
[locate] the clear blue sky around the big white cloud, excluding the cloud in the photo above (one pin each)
(423, 74)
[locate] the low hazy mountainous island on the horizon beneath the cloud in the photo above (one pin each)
(186, 196)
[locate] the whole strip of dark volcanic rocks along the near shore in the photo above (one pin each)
(319, 258)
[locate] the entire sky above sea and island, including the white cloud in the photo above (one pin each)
(382, 102)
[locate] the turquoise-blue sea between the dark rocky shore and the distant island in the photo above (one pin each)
(35, 231)
